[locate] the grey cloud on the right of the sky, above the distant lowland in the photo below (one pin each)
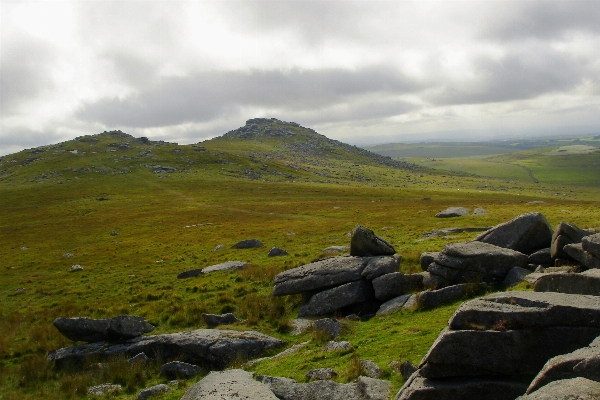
(517, 76)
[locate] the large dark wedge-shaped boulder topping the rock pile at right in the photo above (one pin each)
(525, 233)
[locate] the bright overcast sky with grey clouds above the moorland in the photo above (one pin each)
(363, 72)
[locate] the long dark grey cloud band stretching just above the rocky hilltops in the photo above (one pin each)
(205, 96)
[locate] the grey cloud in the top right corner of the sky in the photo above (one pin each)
(544, 19)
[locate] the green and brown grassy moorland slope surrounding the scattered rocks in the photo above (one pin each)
(135, 271)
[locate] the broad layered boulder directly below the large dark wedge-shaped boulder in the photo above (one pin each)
(473, 261)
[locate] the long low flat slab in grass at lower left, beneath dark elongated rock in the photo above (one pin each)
(209, 348)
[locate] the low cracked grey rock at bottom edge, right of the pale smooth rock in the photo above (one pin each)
(364, 389)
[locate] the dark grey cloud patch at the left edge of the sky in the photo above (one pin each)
(25, 64)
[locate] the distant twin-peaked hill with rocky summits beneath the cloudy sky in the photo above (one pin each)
(267, 149)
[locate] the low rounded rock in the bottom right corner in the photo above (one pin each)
(568, 389)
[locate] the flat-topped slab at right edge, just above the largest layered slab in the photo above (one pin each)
(587, 282)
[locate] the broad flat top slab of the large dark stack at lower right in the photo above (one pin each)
(519, 310)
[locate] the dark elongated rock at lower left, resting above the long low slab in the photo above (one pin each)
(96, 330)
